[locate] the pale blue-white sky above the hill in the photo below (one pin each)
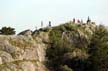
(28, 14)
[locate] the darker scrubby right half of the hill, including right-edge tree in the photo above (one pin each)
(71, 50)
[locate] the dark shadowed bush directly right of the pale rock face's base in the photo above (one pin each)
(55, 55)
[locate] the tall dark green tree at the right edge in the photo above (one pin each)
(99, 50)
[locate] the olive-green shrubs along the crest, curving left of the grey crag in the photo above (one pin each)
(56, 33)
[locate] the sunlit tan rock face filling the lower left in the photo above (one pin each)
(22, 53)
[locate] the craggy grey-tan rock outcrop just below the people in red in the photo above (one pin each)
(81, 36)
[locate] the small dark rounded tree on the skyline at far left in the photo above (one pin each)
(7, 31)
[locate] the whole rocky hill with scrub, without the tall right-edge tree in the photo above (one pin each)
(47, 48)
